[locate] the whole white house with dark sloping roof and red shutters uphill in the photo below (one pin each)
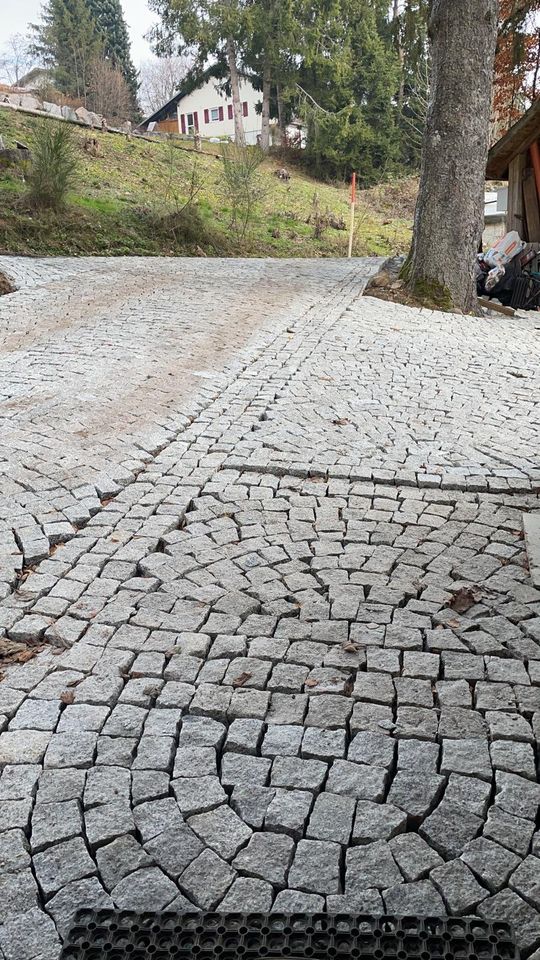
(206, 109)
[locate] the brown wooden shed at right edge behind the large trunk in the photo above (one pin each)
(516, 158)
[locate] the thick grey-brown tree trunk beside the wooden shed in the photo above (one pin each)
(449, 212)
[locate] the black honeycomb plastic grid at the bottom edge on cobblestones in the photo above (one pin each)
(126, 935)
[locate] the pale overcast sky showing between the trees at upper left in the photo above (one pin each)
(20, 13)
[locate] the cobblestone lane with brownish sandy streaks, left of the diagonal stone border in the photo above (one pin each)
(101, 365)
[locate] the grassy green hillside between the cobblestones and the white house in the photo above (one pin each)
(129, 200)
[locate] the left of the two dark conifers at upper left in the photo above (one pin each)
(68, 41)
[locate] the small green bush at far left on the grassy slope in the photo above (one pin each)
(54, 165)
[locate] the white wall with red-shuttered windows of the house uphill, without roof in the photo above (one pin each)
(200, 104)
